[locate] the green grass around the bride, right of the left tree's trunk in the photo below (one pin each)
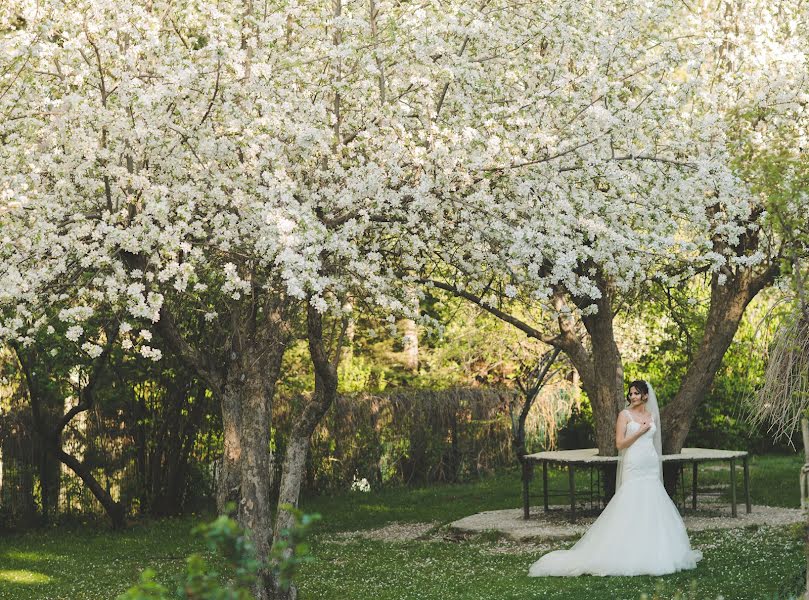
(744, 564)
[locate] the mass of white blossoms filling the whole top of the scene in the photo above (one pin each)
(541, 142)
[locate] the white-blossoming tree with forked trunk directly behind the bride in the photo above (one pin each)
(655, 183)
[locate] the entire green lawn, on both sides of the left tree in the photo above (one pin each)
(95, 564)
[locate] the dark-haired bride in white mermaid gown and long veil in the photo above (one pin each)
(640, 532)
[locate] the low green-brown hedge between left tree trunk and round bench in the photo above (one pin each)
(411, 436)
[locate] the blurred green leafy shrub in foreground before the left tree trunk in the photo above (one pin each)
(223, 536)
